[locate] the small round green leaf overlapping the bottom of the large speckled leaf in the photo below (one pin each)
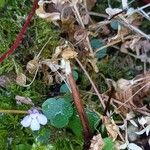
(60, 120)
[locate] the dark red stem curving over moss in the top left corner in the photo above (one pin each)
(20, 36)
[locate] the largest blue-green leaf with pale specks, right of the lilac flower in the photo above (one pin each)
(52, 107)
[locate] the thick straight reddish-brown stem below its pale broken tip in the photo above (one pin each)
(80, 108)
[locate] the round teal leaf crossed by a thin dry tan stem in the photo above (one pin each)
(97, 43)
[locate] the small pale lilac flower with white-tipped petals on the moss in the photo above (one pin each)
(33, 120)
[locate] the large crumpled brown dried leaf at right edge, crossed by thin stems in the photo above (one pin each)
(132, 93)
